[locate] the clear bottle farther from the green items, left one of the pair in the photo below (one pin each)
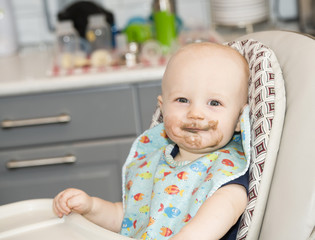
(68, 44)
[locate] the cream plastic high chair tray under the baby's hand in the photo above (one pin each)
(34, 219)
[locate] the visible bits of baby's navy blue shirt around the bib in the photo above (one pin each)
(242, 180)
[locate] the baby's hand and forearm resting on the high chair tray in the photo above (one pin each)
(103, 213)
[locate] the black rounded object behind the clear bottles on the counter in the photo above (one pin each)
(79, 12)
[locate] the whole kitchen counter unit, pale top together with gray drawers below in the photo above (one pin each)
(73, 131)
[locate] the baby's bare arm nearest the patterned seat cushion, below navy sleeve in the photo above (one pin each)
(216, 215)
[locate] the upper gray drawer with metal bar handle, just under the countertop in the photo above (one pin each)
(88, 114)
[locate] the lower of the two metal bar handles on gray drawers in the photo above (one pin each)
(13, 164)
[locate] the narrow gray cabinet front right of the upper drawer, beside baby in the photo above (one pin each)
(148, 94)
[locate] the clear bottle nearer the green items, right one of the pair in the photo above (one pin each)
(98, 32)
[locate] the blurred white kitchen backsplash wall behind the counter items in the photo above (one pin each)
(33, 27)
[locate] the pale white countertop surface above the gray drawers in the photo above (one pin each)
(30, 72)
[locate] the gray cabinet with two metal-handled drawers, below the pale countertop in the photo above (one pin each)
(77, 138)
